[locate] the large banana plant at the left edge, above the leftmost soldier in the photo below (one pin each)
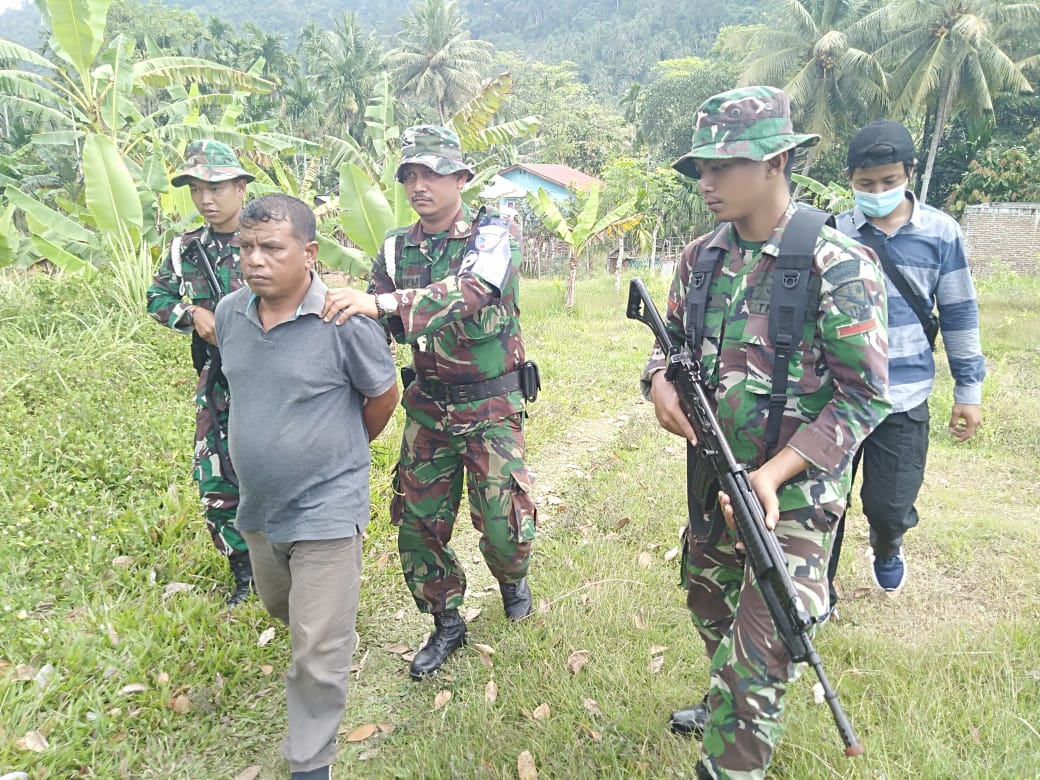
(90, 97)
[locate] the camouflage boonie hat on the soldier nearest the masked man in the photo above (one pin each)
(749, 122)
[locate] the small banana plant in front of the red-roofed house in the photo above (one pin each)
(587, 228)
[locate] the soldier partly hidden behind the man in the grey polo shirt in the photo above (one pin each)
(183, 298)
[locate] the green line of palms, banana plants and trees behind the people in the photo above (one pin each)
(149, 77)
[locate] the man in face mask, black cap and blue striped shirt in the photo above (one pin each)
(923, 253)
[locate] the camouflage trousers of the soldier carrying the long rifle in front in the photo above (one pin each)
(749, 664)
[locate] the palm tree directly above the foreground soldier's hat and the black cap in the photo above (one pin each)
(811, 50)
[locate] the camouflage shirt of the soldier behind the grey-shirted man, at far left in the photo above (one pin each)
(174, 290)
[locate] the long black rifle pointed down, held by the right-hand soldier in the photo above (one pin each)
(762, 548)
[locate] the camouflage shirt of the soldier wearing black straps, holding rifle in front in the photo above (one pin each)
(838, 391)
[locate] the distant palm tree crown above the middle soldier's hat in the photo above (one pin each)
(436, 60)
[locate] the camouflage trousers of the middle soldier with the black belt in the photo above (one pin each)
(428, 492)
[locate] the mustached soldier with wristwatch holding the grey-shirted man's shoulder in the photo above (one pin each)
(449, 288)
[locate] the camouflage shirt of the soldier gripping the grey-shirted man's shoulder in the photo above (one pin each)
(460, 314)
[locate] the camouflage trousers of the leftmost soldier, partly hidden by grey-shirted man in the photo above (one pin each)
(220, 495)
